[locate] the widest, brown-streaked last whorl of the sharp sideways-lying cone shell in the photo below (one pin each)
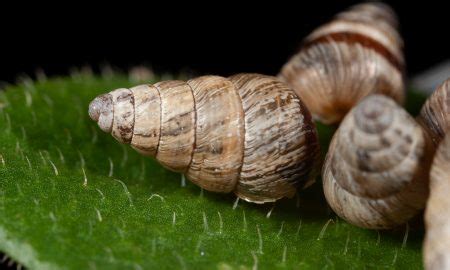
(277, 158)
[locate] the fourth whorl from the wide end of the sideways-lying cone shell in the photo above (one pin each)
(147, 109)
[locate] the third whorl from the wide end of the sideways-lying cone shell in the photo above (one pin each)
(176, 143)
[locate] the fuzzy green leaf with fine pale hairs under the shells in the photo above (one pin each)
(72, 197)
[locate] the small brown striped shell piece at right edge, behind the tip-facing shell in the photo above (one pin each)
(435, 113)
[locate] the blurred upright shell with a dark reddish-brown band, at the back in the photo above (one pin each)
(357, 54)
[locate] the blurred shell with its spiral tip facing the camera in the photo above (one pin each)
(376, 171)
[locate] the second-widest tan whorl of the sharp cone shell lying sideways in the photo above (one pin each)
(217, 155)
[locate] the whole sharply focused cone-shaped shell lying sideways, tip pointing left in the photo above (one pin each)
(249, 134)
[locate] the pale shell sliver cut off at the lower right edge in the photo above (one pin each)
(437, 214)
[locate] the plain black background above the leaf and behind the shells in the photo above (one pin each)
(216, 38)
